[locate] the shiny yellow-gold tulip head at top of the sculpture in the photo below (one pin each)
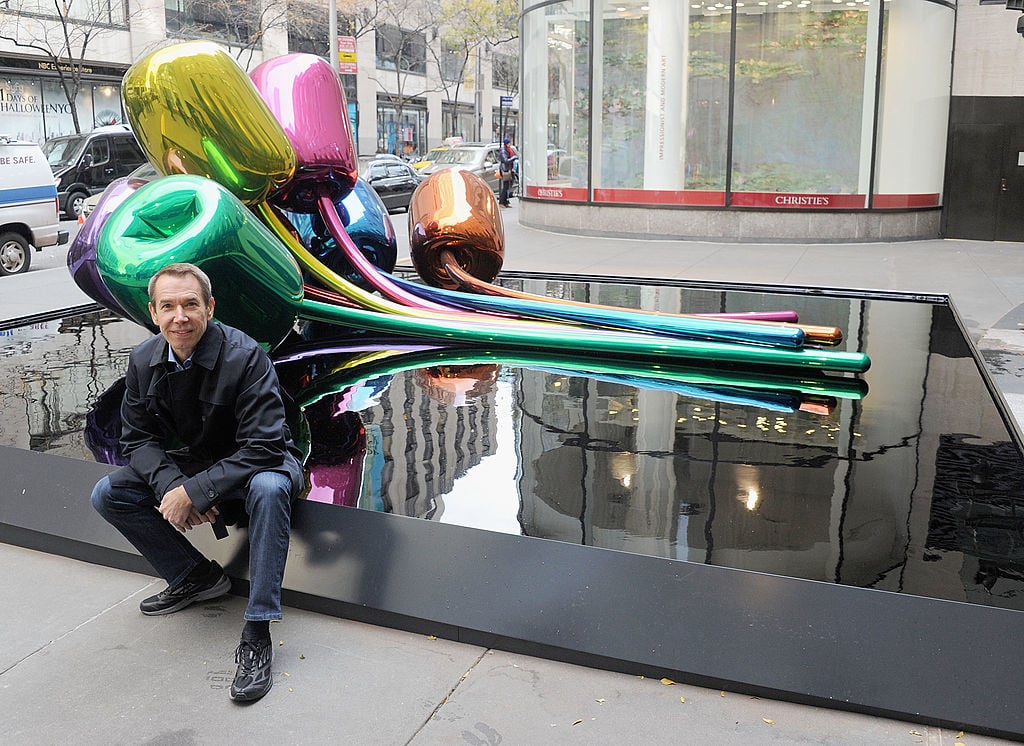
(195, 111)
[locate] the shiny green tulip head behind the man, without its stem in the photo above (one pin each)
(193, 220)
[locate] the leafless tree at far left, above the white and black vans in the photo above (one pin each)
(62, 31)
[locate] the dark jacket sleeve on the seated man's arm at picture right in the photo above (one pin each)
(261, 436)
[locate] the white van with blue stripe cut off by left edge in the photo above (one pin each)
(28, 205)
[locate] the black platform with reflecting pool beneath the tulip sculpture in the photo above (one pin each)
(844, 543)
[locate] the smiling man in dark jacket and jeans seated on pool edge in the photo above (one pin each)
(203, 428)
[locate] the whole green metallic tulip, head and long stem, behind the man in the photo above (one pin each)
(191, 220)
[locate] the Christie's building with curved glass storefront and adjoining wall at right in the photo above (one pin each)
(810, 120)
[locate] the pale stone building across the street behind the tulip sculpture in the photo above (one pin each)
(404, 108)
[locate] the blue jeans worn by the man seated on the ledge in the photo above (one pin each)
(134, 512)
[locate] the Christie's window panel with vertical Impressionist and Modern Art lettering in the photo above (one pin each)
(664, 83)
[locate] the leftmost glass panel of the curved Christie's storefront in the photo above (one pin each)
(556, 136)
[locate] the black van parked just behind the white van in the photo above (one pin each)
(87, 164)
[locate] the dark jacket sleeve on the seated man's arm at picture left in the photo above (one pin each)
(142, 437)
